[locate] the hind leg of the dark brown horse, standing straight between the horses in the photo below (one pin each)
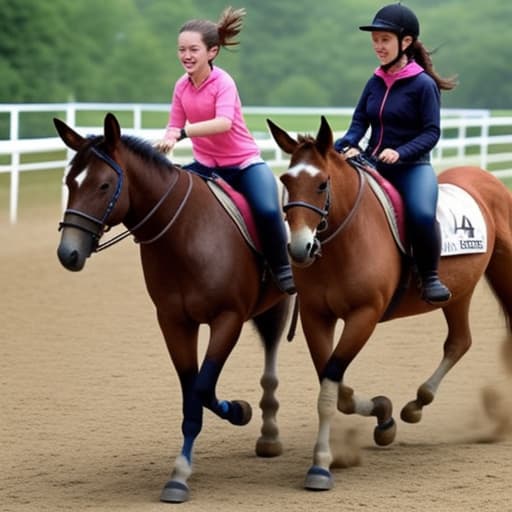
(270, 326)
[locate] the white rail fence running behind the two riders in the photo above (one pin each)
(468, 137)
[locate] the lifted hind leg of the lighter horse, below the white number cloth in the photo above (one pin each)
(458, 341)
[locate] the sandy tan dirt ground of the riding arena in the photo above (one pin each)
(91, 408)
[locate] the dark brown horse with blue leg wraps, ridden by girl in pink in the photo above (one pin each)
(197, 266)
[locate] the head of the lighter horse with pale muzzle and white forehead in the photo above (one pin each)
(307, 182)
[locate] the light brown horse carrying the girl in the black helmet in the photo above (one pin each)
(347, 266)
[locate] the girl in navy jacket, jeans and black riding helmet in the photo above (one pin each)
(401, 105)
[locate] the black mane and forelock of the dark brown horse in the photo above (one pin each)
(136, 145)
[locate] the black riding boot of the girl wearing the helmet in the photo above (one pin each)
(427, 257)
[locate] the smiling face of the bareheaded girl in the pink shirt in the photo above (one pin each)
(194, 55)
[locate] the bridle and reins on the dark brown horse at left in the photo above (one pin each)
(95, 226)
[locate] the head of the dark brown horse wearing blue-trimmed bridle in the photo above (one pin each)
(97, 198)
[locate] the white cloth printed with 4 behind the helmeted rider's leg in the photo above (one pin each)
(463, 229)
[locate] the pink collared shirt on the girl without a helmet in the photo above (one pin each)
(217, 96)
